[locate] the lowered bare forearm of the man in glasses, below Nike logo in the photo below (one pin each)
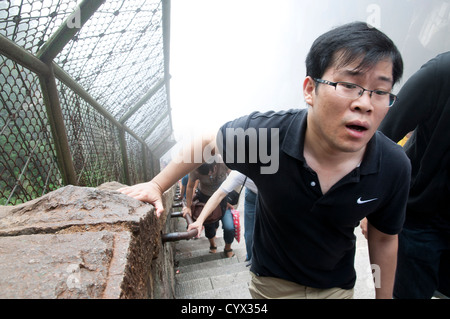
(383, 253)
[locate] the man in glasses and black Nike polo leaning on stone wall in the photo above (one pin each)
(330, 170)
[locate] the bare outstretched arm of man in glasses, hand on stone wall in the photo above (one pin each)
(184, 163)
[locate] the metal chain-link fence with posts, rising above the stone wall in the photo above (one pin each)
(84, 93)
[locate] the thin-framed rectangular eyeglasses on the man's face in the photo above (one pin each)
(353, 91)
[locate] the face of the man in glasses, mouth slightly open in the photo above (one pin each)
(342, 124)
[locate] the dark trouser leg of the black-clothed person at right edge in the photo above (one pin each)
(418, 263)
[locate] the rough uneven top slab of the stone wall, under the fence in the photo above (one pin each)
(72, 206)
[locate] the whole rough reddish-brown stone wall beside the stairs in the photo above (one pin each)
(79, 242)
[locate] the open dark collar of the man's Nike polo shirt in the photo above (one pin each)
(294, 143)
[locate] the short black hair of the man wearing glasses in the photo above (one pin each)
(348, 43)
